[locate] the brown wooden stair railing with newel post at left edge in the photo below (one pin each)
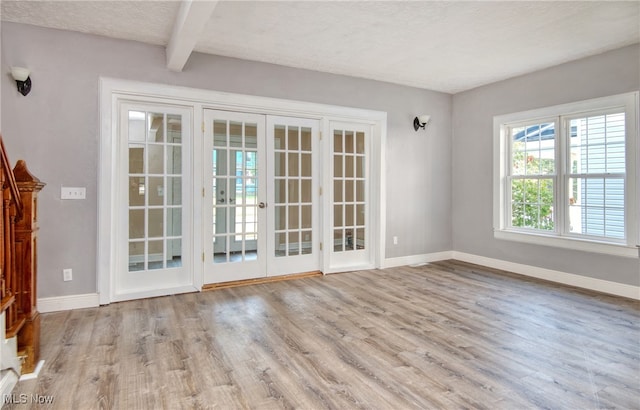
(18, 257)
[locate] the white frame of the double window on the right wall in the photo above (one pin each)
(561, 236)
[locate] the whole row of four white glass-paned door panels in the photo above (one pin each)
(260, 210)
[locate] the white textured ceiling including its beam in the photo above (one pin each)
(447, 46)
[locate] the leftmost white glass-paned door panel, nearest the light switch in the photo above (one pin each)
(154, 230)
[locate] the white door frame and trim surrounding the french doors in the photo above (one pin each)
(113, 91)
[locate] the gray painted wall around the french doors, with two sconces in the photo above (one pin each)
(56, 130)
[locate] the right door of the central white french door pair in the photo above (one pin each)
(293, 170)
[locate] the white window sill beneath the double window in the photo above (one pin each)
(569, 243)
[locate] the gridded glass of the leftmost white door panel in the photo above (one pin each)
(155, 190)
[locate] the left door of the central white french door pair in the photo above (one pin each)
(234, 196)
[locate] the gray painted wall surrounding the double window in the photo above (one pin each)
(606, 74)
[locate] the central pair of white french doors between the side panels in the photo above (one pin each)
(261, 214)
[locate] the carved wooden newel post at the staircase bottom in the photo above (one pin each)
(27, 266)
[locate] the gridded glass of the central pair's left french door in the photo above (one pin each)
(235, 183)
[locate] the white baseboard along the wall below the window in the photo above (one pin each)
(585, 282)
